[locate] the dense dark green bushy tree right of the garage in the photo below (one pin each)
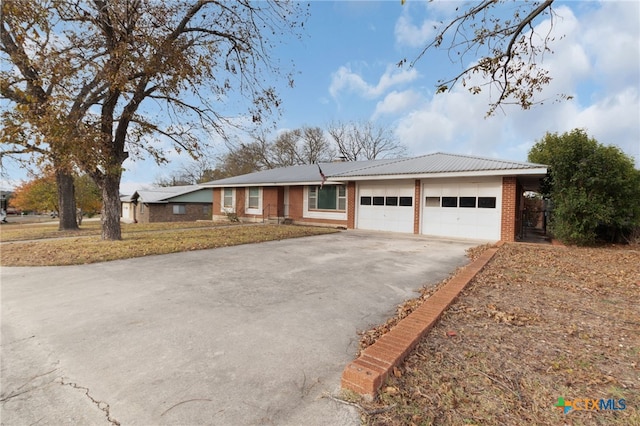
(595, 189)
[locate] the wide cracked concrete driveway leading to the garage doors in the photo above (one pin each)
(247, 335)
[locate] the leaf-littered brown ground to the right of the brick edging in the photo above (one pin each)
(537, 324)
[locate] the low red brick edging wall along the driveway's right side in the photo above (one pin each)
(367, 373)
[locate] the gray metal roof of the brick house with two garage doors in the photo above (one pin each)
(438, 163)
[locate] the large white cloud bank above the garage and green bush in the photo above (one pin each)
(606, 104)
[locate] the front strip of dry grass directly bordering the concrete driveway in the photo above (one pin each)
(74, 251)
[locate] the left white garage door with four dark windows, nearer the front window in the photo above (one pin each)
(386, 207)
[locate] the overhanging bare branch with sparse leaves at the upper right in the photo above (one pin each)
(498, 50)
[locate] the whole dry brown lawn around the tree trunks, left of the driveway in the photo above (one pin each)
(43, 245)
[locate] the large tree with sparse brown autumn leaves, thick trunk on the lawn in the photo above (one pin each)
(98, 81)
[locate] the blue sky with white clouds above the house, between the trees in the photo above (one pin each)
(346, 70)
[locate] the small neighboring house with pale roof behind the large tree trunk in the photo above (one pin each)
(168, 204)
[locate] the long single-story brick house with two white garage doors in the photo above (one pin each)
(437, 194)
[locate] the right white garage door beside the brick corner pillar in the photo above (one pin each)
(462, 209)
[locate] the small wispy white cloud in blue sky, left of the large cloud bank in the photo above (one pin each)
(345, 80)
